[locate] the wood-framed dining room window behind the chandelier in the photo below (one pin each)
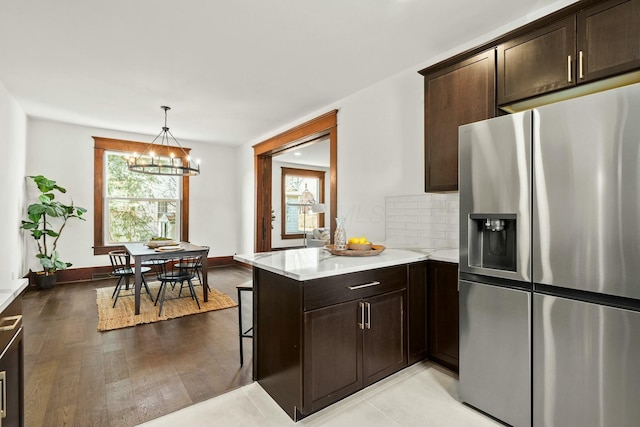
(132, 207)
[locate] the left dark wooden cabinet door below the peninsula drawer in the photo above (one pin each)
(332, 354)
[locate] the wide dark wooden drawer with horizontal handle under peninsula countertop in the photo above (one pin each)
(349, 287)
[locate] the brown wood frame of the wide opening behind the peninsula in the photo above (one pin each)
(321, 126)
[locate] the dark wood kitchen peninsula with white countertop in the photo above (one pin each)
(327, 326)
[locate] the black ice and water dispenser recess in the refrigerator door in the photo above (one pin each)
(492, 241)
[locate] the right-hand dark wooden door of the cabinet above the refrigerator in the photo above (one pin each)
(608, 39)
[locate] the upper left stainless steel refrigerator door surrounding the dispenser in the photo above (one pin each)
(495, 177)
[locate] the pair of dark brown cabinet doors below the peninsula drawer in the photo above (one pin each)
(351, 345)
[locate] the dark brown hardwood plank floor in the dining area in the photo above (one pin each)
(77, 376)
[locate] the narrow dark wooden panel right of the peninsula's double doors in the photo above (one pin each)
(417, 312)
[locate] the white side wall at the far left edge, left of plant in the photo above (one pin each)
(13, 143)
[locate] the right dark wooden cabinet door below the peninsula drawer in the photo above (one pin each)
(384, 336)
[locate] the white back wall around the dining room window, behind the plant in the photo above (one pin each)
(64, 152)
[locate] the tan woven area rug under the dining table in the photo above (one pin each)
(122, 316)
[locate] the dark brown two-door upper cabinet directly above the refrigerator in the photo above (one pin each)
(595, 43)
